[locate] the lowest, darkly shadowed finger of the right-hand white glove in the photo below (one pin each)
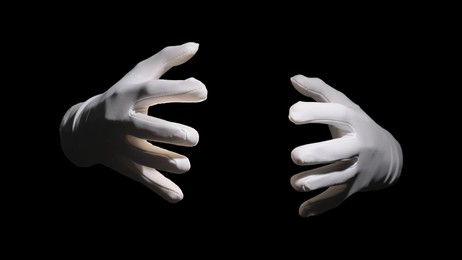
(327, 200)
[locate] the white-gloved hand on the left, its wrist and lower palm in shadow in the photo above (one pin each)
(113, 128)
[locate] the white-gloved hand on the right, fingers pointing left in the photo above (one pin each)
(361, 156)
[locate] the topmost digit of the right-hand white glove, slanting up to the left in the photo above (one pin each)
(319, 90)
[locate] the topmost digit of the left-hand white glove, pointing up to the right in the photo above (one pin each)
(155, 66)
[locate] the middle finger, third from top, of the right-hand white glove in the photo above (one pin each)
(327, 151)
